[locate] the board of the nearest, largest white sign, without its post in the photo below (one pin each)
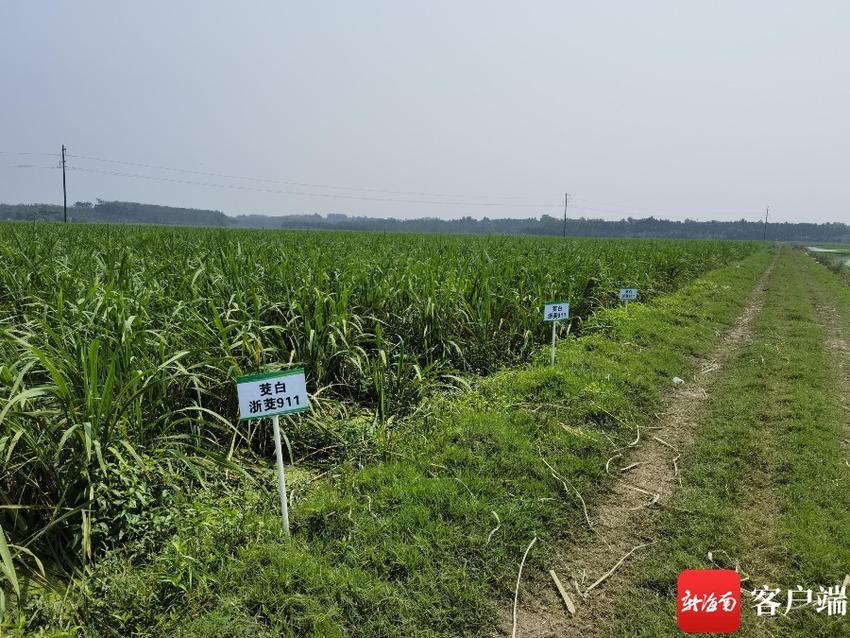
(272, 393)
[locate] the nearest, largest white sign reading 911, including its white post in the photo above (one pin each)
(272, 394)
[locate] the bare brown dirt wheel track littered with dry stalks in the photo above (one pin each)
(624, 518)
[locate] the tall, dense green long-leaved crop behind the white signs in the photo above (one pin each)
(119, 347)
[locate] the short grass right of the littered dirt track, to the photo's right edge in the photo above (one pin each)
(766, 485)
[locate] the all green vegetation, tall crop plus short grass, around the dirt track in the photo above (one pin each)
(441, 442)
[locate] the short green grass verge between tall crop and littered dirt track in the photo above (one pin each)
(426, 541)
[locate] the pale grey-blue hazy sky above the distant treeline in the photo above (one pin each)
(709, 109)
